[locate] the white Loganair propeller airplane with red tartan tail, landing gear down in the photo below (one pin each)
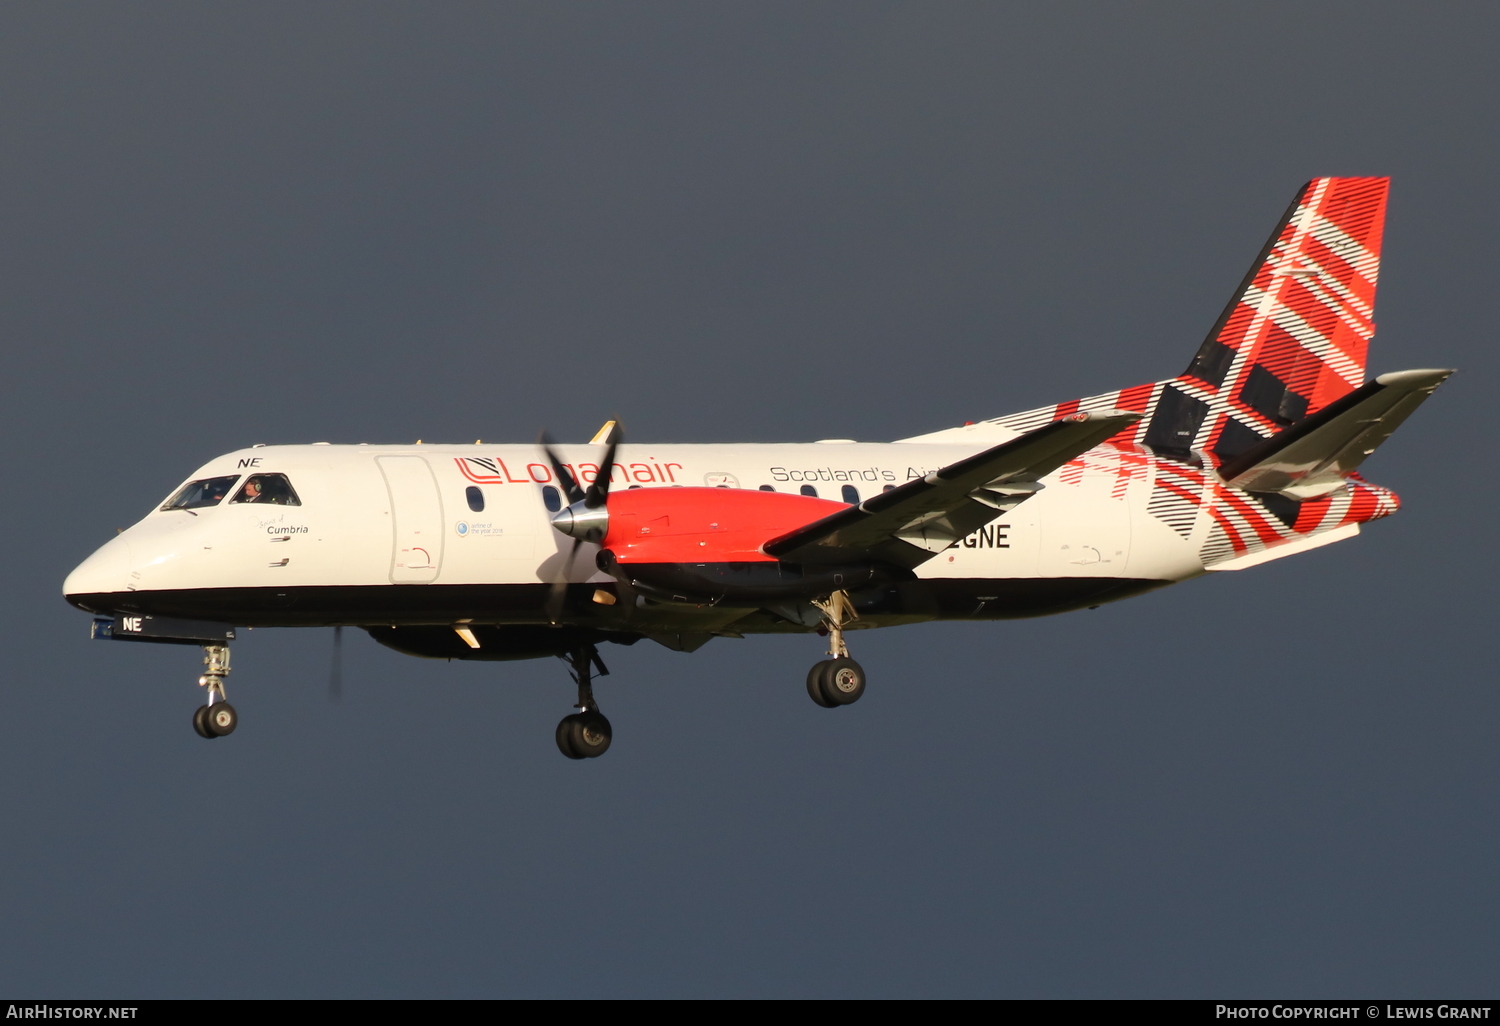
(502, 553)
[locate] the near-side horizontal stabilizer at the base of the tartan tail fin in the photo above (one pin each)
(1313, 457)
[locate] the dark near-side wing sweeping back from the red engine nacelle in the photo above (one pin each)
(916, 521)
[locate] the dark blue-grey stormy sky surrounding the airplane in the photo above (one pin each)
(232, 224)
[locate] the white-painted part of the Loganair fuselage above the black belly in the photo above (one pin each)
(376, 517)
